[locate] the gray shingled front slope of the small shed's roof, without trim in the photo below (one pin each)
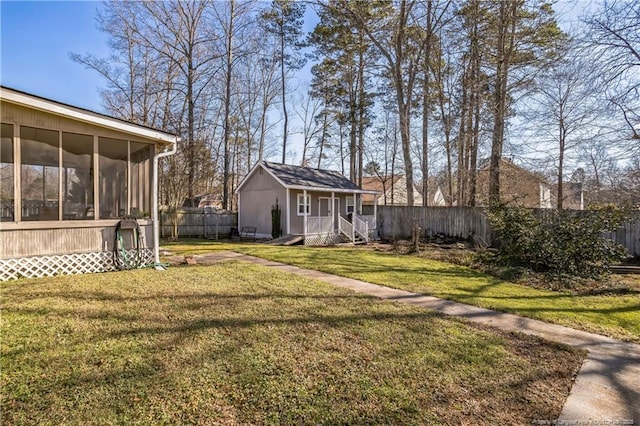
(306, 176)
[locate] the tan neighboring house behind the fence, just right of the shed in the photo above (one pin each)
(392, 191)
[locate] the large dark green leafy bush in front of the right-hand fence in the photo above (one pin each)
(558, 242)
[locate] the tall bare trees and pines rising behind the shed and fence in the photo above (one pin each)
(431, 89)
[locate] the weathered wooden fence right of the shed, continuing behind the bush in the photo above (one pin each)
(395, 222)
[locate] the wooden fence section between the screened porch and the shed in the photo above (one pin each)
(199, 223)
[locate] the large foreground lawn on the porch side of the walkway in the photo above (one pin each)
(241, 344)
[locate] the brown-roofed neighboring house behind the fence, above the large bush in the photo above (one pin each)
(518, 186)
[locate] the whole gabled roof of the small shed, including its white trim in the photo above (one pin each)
(298, 177)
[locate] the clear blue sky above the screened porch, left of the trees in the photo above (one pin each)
(36, 38)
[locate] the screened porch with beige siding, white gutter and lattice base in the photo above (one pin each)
(67, 176)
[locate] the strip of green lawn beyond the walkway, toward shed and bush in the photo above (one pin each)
(614, 315)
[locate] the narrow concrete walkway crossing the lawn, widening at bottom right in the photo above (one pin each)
(607, 389)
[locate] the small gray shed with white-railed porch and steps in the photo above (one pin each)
(319, 205)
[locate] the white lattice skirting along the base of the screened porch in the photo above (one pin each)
(67, 264)
